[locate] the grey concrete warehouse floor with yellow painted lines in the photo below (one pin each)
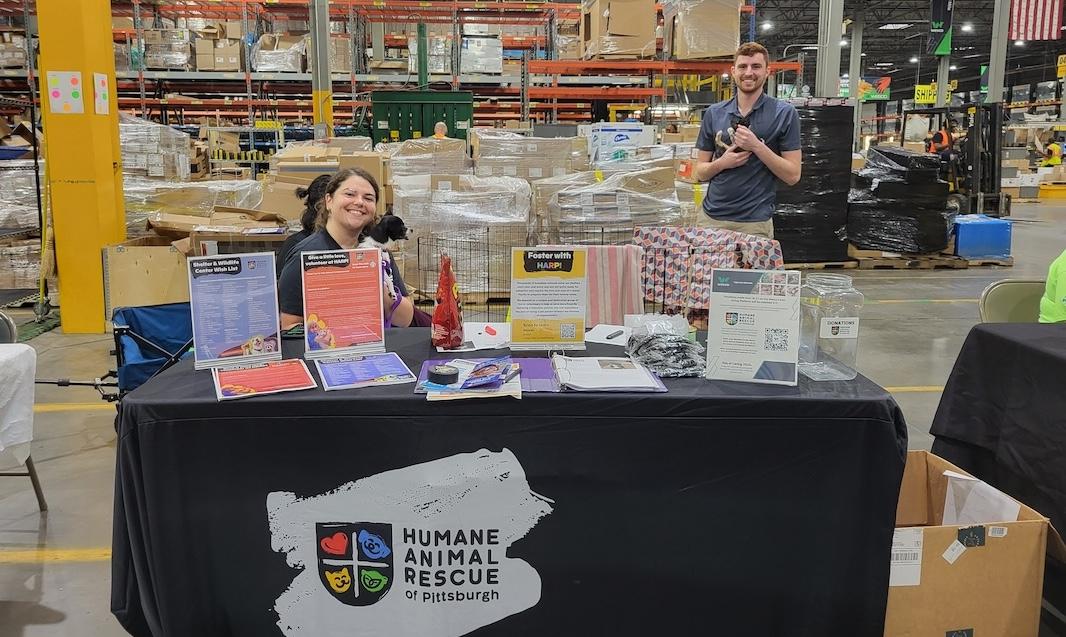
(913, 329)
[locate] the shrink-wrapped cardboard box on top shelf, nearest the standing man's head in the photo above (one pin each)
(699, 29)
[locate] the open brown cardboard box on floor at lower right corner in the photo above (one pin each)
(963, 580)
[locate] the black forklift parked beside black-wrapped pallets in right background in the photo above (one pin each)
(974, 171)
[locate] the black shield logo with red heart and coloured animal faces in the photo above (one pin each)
(356, 561)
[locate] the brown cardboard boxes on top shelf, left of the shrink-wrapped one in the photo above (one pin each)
(619, 29)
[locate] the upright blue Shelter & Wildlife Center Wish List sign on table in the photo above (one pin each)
(235, 314)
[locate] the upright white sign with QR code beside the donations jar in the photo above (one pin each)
(753, 328)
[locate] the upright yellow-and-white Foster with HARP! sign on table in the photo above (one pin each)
(548, 299)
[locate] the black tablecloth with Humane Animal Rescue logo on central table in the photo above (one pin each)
(721, 508)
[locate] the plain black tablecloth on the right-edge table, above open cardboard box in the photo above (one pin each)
(1003, 416)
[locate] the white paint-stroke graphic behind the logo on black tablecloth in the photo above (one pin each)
(481, 491)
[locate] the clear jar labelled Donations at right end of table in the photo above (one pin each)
(829, 328)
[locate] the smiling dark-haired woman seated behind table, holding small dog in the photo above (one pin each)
(346, 211)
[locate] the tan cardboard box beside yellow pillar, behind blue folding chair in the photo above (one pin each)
(144, 272)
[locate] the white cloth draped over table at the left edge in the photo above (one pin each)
(19, 365)
